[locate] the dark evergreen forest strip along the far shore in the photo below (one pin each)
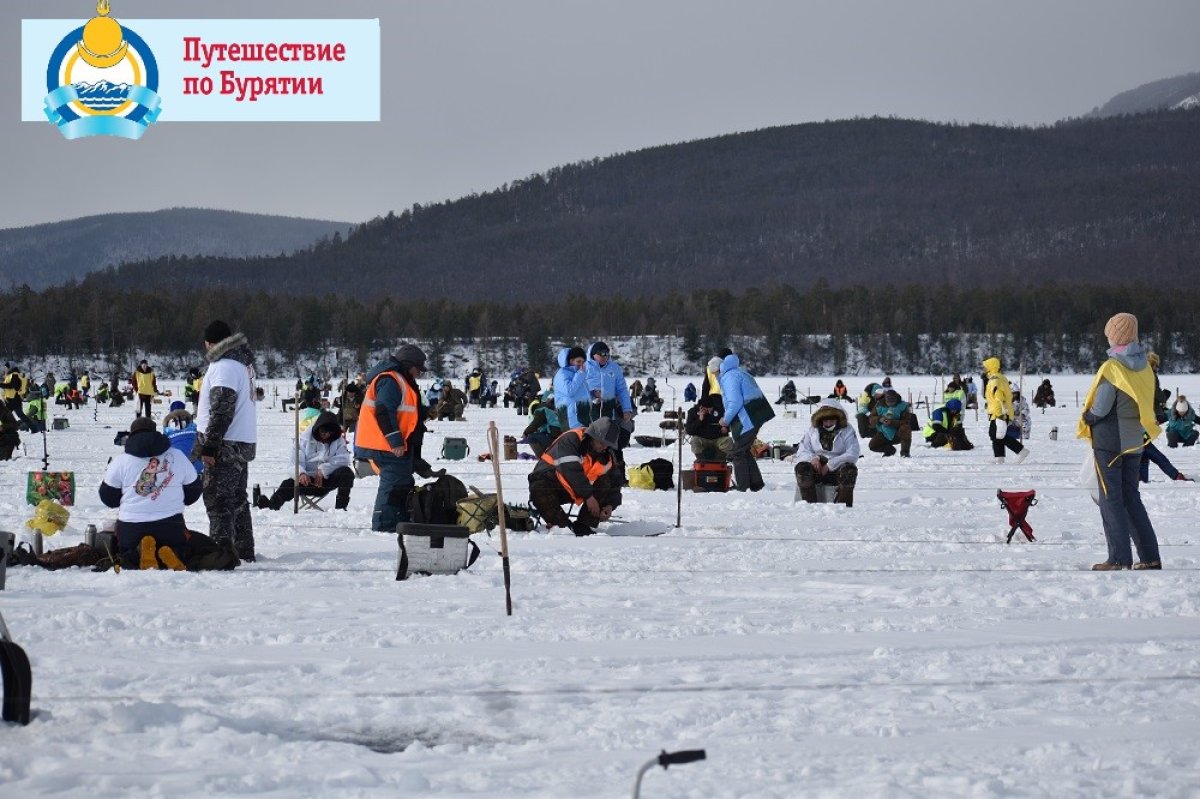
(914, 329)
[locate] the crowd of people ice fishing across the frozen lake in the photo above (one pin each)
(579, 430)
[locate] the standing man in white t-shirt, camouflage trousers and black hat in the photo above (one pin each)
(227, 435)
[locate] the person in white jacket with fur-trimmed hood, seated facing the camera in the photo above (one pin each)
(829, 455)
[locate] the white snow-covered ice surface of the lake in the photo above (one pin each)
(898, 648)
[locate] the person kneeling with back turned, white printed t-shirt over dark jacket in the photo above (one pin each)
(149, 484)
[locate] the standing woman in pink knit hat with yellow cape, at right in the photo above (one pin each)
(1118, 408)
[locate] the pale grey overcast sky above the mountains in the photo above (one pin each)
(477, 93)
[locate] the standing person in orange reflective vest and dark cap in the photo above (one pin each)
(391, 432)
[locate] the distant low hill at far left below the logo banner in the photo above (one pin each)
(47, 255)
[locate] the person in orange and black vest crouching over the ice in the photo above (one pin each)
(579, 468)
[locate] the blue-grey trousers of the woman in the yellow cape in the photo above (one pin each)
(1121, 510)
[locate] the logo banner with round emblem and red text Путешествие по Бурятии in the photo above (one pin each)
(118, 77)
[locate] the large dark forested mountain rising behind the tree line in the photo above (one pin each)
(867, 202)
